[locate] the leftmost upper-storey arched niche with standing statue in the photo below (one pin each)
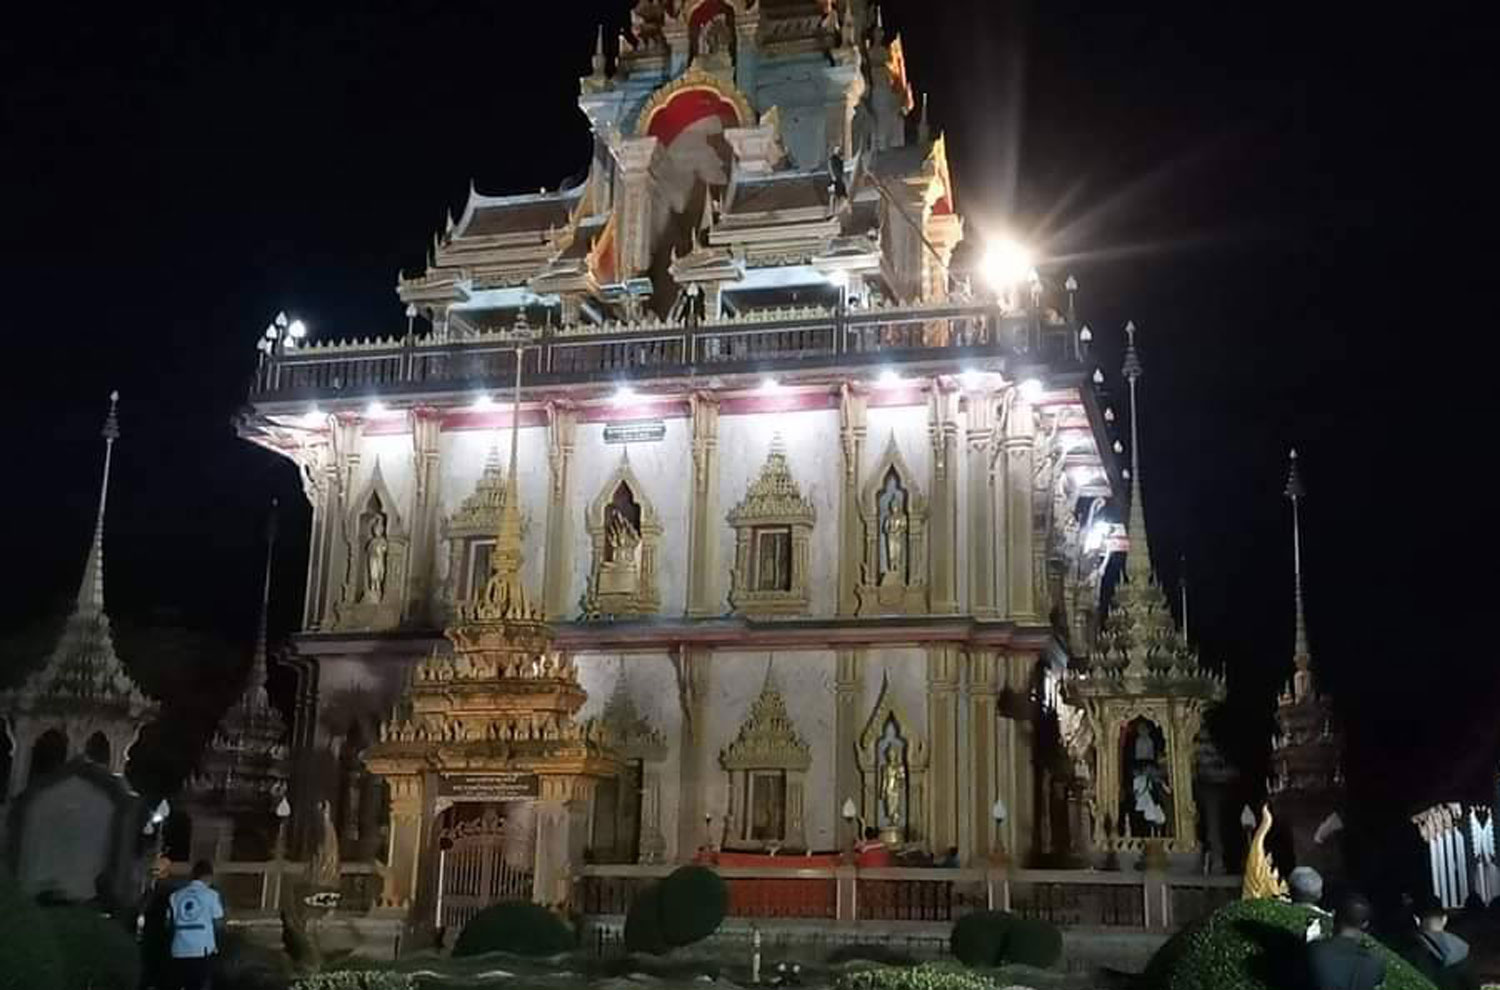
(376, 560)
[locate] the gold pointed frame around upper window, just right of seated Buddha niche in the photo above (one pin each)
(773, 503)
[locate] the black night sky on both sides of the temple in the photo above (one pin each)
(1277, 194)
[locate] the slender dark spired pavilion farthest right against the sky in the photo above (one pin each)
(1307, 752)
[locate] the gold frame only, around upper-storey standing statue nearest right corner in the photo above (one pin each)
(895, 598)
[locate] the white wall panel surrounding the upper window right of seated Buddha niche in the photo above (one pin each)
(814, 454)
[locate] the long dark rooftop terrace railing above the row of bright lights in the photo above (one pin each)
(755, 344)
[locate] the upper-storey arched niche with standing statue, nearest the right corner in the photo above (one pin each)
(893, 515)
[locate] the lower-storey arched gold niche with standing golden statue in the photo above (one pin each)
(893, 763)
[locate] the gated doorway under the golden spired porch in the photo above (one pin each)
(487, 856)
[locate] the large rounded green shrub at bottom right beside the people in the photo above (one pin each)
(1253, 946)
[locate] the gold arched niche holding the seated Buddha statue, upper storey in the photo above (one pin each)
(625, 539)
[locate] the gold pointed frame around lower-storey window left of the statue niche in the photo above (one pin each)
(767, 743)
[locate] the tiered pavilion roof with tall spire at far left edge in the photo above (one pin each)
(83, 703)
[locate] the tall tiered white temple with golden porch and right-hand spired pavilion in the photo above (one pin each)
(706, 506)
